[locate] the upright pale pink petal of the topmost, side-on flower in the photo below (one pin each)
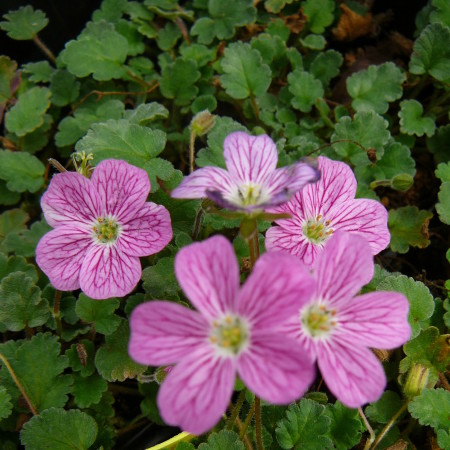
(249, 158)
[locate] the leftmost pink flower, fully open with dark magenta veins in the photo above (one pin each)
(101, 228)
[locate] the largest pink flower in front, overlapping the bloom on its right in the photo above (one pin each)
(233, 331)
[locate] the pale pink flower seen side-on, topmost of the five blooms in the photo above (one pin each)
(252, 181)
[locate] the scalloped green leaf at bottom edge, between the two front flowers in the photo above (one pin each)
(305, 427)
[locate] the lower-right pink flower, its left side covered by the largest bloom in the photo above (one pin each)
(338, 329)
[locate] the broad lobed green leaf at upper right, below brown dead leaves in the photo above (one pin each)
(372, 89)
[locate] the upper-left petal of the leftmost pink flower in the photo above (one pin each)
(69, 199)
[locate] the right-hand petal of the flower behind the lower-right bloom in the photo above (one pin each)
(367, 218)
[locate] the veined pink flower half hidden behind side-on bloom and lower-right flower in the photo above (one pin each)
(324, 207)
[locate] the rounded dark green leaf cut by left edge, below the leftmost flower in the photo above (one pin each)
(21, 304)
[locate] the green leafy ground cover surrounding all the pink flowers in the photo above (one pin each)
(128, 87)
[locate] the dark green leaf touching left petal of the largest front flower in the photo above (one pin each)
(112, 360)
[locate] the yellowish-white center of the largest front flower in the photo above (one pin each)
(230, 334)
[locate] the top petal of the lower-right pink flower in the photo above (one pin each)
(343, 268)
